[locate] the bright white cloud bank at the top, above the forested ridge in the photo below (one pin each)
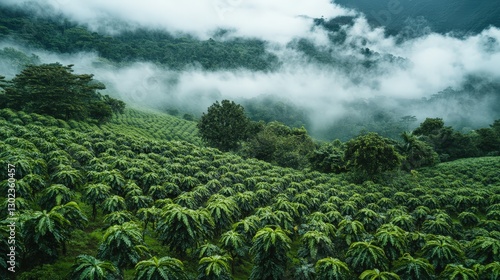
(278, 20)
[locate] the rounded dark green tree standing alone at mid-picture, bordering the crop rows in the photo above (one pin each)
(224, 125)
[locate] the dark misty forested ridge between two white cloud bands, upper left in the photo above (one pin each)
(174, 51)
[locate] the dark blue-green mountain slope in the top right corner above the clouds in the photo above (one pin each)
(462, 16)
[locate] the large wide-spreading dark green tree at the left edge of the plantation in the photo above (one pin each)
(52, 89)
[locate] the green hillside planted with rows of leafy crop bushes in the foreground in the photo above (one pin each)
(118, 199)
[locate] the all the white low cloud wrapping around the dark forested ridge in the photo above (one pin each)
(425, 65)
